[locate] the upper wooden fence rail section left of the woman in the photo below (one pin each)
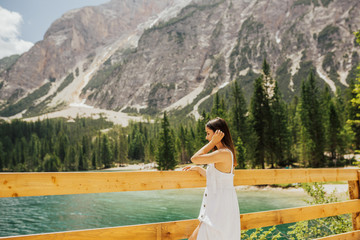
(37, 184)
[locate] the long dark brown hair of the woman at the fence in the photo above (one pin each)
(220, 124)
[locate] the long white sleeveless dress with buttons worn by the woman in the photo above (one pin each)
(219, 213)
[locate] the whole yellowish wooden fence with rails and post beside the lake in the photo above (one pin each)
(39, 184)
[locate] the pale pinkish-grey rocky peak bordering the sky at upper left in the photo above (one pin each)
(72, 38)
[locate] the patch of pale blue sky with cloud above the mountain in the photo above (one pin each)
(24, 22)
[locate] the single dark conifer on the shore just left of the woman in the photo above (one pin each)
(165, 156)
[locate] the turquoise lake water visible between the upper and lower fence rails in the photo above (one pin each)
(30, 215)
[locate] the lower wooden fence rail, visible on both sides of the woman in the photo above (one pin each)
(183, 229)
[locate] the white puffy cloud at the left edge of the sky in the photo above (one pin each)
(10, 42)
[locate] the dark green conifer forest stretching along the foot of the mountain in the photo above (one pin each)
(315, 130)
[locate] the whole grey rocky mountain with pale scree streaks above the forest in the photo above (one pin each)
(151, 55)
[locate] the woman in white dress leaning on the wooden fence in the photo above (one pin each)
(219, 215)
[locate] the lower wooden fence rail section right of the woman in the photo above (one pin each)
(276, 217)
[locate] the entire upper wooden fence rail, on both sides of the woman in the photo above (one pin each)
(59, 183)
